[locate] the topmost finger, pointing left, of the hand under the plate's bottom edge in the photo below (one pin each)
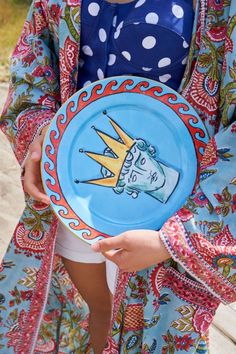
(111, 243)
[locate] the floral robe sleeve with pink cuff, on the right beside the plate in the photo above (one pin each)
(202, 235)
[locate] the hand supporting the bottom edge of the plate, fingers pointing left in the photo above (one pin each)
(133, 250)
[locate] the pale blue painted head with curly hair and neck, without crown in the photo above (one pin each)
(142, 172)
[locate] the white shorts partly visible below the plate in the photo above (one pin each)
(74, 249)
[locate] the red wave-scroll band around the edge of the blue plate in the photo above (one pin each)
(85, 99)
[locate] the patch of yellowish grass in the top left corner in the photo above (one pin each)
(12, 17)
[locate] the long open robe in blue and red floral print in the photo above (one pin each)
(164, 309)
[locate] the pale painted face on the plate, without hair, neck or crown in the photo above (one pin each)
(145, 173)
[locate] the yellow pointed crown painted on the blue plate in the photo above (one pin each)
(113, 164)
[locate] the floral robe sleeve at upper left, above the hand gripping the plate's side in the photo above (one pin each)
(33, 96)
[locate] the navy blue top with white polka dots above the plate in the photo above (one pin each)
(148, 38)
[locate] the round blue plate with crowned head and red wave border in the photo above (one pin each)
(121, 154)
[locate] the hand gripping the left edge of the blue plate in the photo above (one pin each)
(32, 177)
